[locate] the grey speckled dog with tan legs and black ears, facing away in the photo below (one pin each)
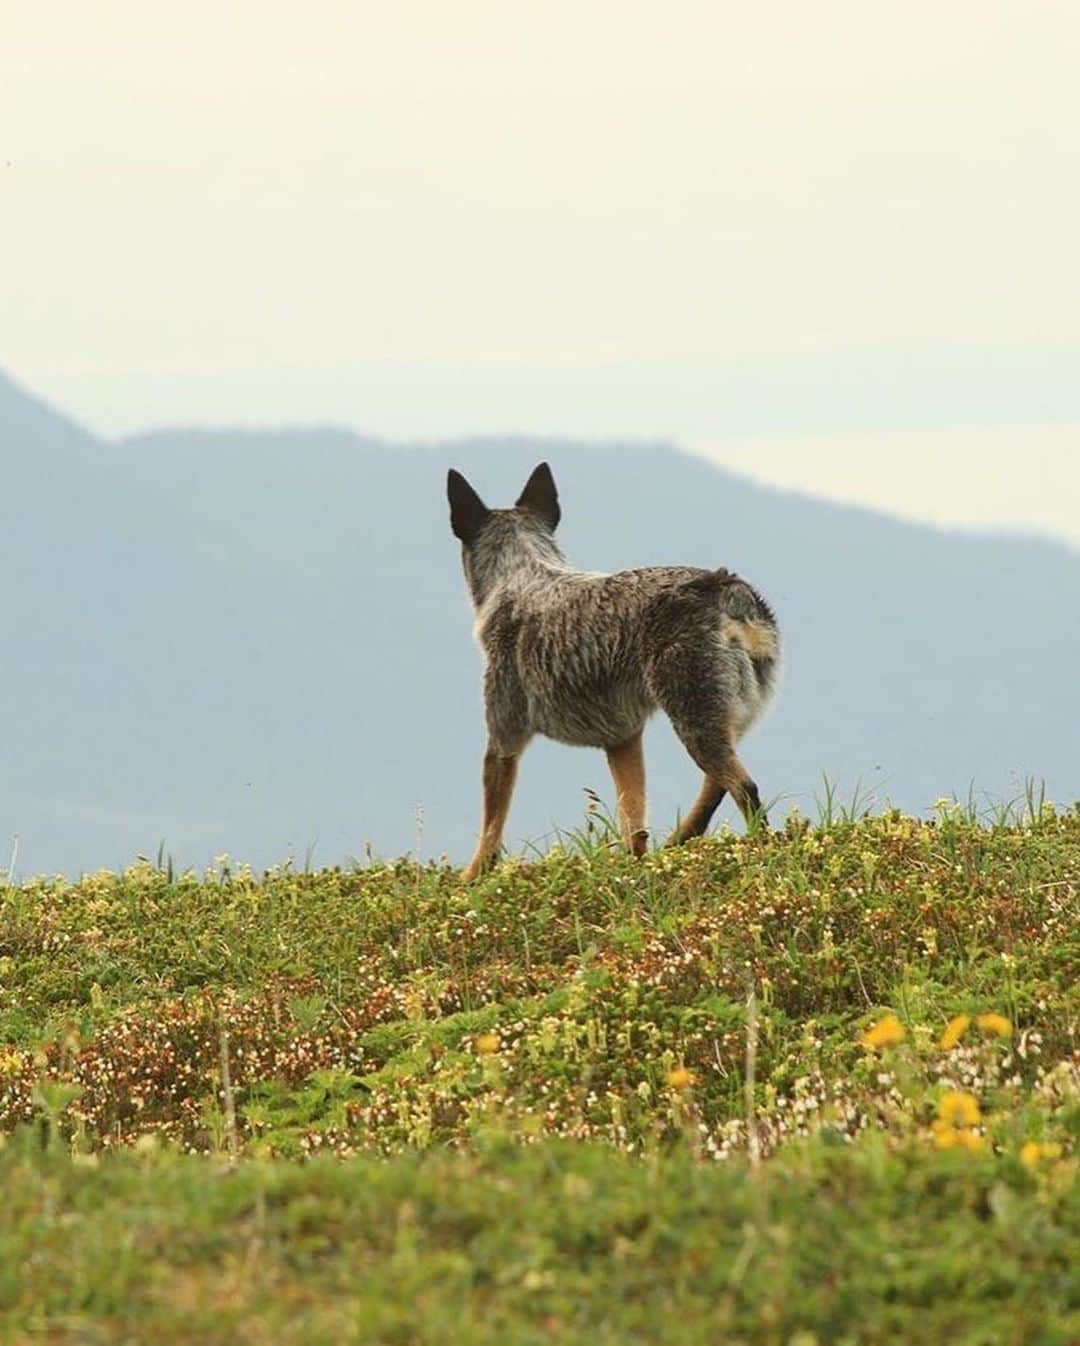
(586, 659)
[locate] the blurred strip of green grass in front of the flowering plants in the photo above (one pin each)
(539, 1244)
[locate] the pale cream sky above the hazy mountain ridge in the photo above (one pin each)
(801, 239)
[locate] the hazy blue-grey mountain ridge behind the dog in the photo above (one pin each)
(259, 643)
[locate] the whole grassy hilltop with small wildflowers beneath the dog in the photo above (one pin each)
(798, 1088)
